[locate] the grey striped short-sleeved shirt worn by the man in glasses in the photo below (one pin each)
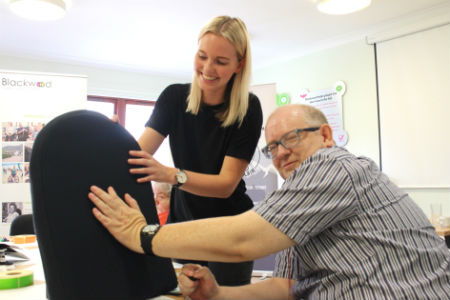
(358, 235)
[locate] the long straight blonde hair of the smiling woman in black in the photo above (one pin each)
(236, 99)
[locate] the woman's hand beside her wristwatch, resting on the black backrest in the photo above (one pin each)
(150, 168)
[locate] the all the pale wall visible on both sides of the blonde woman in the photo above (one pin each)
(352, 63)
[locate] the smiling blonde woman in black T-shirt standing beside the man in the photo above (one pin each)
(213, 125)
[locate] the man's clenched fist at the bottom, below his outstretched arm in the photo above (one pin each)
(197, 282)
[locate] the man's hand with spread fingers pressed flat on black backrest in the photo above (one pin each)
(123, 221)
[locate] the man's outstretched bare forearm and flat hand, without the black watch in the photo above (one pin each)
(227, 239)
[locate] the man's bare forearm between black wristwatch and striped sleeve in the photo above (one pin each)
(237, 238)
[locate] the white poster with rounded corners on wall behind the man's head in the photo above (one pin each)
(329, 101)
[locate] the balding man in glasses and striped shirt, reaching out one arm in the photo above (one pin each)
(346, 231)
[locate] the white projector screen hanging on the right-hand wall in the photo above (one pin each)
(414, 97)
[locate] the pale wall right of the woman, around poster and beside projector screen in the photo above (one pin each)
(353, 63)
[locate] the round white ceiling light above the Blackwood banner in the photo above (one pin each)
(40, 10)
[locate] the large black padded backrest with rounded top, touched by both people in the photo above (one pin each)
(81, 259)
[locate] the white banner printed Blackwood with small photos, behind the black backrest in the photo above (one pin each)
(28, 101)
